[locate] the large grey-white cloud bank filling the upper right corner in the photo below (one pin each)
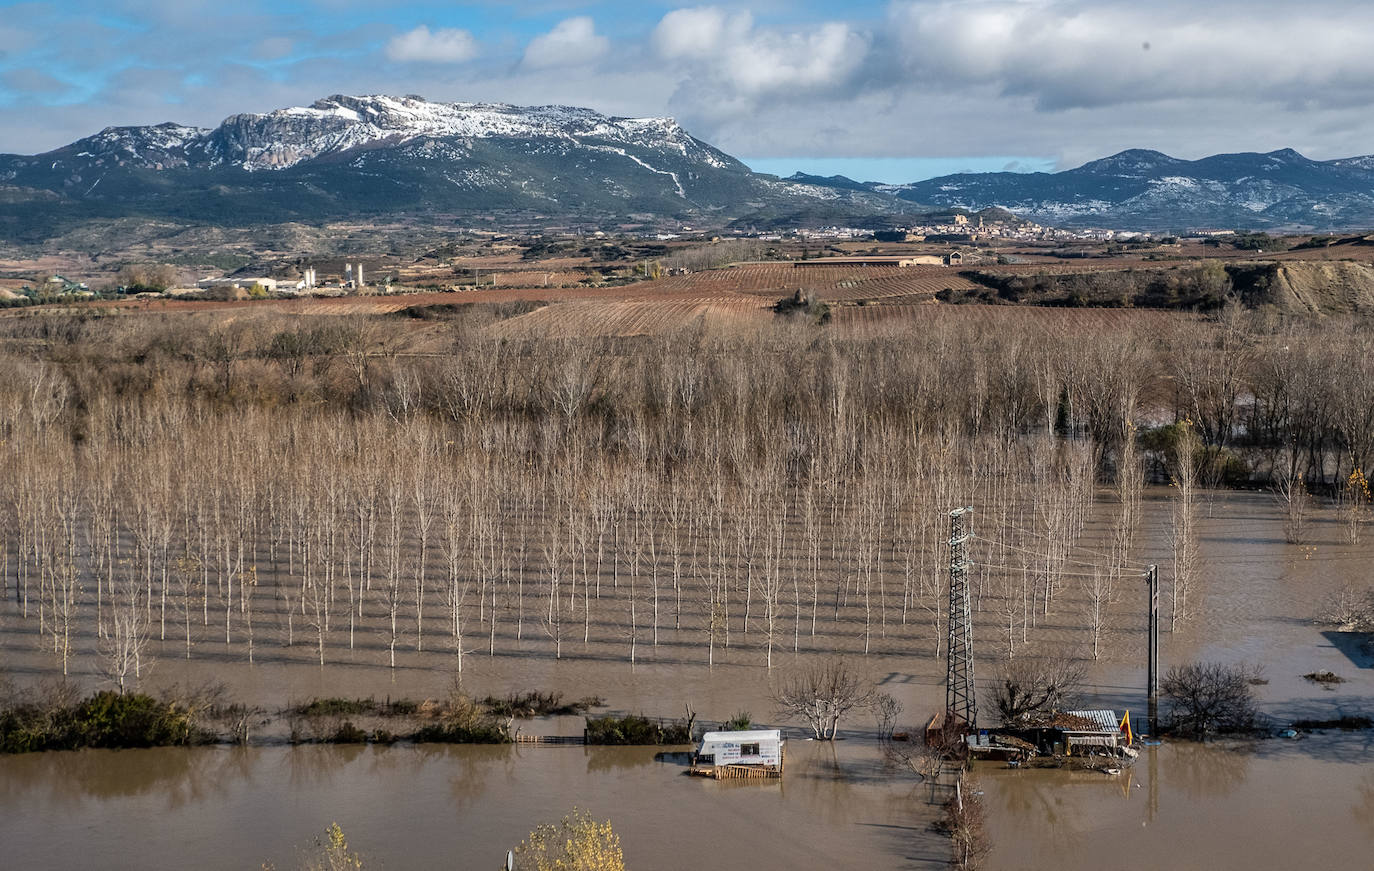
(1067, 54)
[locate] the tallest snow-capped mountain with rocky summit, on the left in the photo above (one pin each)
(361, 156)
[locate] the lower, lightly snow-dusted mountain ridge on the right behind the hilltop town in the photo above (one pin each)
(1148, 190)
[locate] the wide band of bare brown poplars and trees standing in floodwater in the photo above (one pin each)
(267, 488)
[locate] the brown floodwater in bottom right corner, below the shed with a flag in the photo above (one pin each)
(1273, 804)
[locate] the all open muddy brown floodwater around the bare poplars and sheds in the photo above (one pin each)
(1273, 804)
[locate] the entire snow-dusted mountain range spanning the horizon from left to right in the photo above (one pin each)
(348, 157)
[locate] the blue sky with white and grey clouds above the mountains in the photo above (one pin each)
(888, 91)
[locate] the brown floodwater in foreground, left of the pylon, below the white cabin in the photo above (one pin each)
(453, 807)
